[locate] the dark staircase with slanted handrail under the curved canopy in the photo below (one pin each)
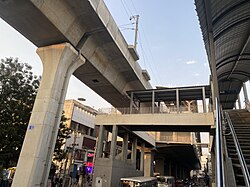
(238, 144)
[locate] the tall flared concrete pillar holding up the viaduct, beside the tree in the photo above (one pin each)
(59, 62)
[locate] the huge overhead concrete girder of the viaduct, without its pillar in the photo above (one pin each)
(105, 47)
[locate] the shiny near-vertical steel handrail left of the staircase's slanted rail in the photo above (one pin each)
(220, 176)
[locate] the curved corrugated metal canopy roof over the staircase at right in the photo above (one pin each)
(228, 22)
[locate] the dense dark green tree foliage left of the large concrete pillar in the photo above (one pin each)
(18, 88)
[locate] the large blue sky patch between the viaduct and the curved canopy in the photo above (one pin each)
(170, 37)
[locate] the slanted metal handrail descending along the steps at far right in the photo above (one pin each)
(243, 164)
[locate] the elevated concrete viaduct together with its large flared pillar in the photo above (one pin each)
(76, 37)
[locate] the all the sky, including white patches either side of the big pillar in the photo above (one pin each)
(170, 44)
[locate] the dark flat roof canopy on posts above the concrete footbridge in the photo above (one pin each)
(169, 94)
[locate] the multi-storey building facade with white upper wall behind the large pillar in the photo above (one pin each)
(81, 144)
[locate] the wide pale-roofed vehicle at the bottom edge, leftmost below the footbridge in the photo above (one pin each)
(139, 182)
